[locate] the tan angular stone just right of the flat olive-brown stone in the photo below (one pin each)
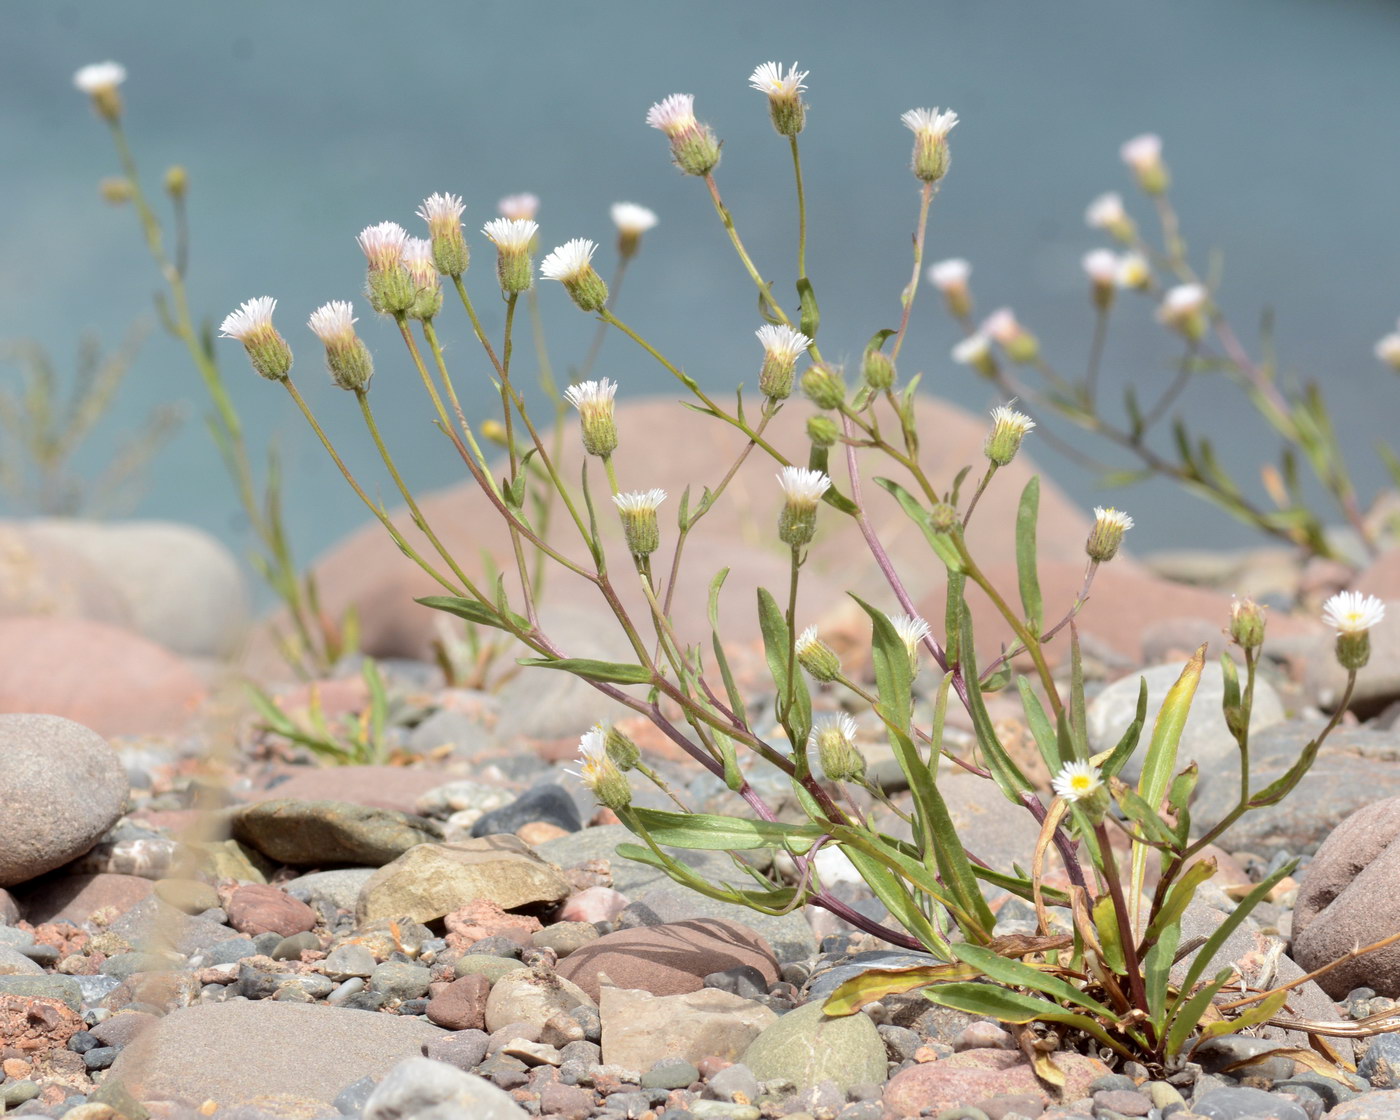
(432, 881)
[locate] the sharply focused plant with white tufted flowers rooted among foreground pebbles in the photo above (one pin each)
(1101, 962)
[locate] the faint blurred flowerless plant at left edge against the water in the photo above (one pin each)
(45, 422)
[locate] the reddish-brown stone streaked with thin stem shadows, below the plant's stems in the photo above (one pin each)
(668, 960)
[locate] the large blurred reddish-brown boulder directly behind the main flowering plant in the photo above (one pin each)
(367, 570)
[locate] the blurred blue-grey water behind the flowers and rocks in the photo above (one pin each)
(302, 124)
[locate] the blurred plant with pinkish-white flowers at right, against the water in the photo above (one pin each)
(1161, 274)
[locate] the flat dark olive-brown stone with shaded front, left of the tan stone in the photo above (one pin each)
(313, 834)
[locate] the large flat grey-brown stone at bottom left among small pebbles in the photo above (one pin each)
(237, 1052)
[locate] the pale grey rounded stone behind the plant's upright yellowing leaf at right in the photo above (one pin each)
(1206, 740)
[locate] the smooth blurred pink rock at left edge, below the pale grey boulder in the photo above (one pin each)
(100, 677)
